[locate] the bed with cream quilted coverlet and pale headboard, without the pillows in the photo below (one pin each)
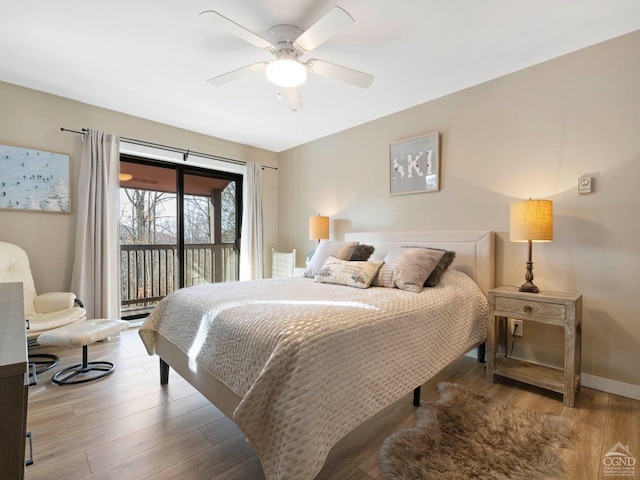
(299, 364)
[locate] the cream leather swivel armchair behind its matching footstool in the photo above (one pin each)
(43, 312)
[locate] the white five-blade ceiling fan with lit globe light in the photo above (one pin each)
(287, 69)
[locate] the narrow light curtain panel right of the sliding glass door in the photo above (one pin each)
(251, 242)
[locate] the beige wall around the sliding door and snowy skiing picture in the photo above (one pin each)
(33, 119)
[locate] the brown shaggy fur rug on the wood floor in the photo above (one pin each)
(466, 435)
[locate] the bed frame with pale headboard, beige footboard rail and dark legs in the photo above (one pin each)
(474, 256)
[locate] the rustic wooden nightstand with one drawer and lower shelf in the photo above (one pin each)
(561, 309)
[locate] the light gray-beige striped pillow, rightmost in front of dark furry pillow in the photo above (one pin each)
(407, 268)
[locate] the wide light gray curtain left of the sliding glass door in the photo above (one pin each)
(96, 269)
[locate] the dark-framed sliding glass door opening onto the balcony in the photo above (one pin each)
(179, 226)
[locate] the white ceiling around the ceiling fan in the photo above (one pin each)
(151, 58)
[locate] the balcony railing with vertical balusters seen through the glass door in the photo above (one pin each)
(149, 272)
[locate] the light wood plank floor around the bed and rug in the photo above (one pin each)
(129, 427)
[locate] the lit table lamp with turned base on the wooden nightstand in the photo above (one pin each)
(531, 221)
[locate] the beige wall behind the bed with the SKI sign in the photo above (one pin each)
(528, 134)
